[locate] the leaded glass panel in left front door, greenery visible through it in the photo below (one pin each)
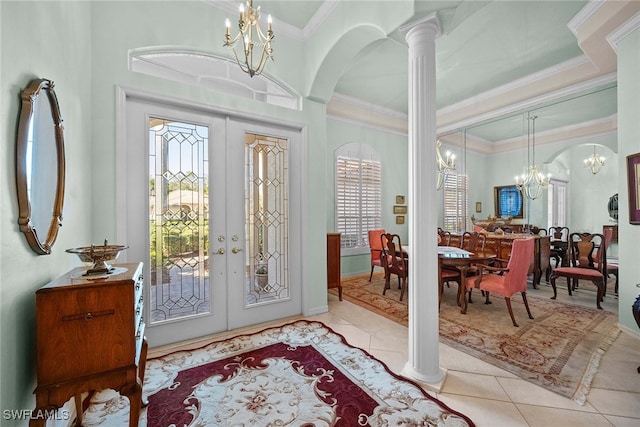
(178, 219)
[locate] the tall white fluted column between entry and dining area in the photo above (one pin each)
(424, 362)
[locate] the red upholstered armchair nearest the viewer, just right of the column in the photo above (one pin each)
(506, 281)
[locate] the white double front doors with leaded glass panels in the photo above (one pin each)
(208, 208)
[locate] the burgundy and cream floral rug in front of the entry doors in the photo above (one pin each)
(300, 374)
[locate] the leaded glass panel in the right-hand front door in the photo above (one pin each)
(267, 207)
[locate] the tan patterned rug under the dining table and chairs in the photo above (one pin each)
(559, 350)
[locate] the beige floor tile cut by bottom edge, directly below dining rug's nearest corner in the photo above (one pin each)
(540, 416)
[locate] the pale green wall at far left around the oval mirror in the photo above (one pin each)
(40, 40)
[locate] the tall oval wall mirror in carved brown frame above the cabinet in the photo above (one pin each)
(39, 89)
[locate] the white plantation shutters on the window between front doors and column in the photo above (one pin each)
(358, 199)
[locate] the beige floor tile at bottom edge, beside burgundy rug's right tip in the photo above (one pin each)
(485, 412)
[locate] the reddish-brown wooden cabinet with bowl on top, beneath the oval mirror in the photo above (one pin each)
(90, 336)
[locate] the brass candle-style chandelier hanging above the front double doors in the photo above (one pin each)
(249, 27)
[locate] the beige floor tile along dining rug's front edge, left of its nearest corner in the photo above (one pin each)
(521, 391)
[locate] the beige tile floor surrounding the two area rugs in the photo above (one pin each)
(491, 396)
